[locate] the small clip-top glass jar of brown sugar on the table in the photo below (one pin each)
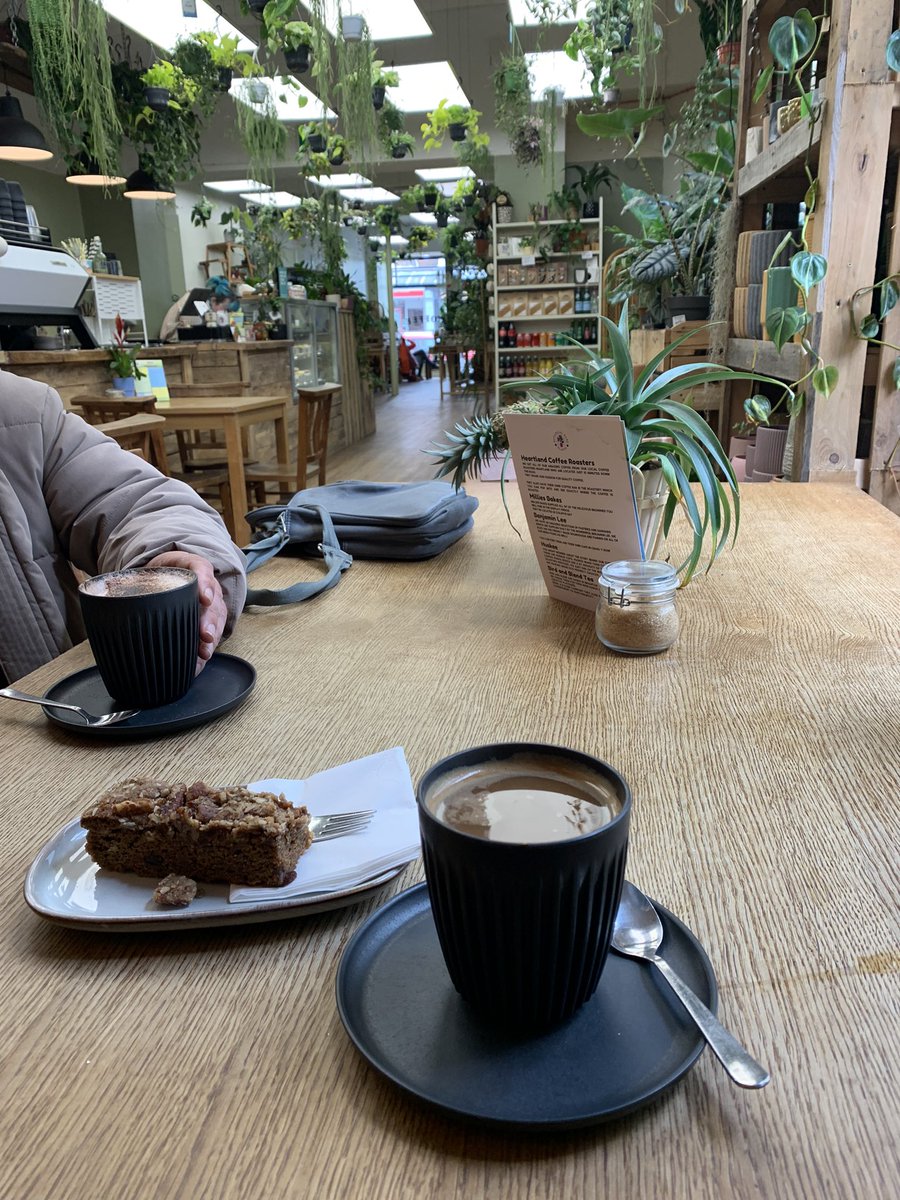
(637, 614)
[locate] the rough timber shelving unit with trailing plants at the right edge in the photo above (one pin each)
(848, 151)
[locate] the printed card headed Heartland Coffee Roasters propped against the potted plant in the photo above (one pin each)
(575, 481)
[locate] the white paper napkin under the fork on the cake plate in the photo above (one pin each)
(382, 783)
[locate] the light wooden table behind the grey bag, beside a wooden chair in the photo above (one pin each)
(232, 415)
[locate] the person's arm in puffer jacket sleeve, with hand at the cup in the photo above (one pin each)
(112, 511)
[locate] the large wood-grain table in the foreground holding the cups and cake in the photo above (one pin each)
(763, 752)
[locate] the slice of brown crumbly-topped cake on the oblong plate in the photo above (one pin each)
(214, 835)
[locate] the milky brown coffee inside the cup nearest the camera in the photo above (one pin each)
(524, 800)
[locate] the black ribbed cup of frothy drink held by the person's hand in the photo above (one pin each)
(145, 638)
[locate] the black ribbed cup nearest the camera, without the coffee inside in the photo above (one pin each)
(525, 928)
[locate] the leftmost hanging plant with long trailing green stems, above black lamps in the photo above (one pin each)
(74, 80)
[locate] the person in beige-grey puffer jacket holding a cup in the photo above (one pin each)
(73, 497)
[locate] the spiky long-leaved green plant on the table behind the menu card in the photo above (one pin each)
(661, 433)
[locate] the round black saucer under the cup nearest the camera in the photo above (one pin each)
(632, 1042)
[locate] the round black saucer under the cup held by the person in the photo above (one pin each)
(224, 683)
